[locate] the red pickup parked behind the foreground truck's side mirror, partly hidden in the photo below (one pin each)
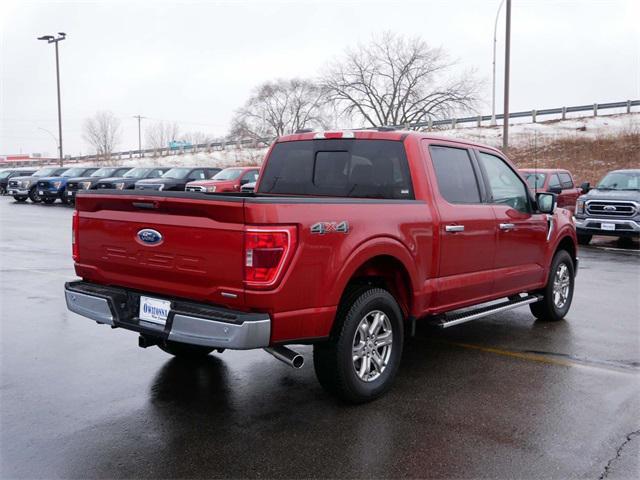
(556, 181)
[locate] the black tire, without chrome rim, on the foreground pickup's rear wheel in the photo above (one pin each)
(333, 360)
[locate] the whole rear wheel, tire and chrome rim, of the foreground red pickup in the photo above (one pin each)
(360, 361)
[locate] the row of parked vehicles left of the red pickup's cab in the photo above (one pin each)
(49, 184)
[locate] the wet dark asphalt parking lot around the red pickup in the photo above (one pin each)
(502, 397)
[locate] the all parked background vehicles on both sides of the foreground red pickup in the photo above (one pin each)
(612, 208)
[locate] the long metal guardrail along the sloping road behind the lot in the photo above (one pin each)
(429, 124)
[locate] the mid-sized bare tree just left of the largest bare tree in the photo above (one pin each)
(280, 107)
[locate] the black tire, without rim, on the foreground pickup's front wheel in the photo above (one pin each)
(547, 308)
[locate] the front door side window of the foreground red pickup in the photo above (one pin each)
(506, 186)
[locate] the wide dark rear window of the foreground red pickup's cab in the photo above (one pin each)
(339, 168)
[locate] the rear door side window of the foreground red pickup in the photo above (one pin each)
(456, 178)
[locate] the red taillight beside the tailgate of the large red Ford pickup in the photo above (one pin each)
(267, 251)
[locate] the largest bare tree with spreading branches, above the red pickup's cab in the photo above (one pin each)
(395, 80)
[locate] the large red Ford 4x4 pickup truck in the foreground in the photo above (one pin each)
(349, 239)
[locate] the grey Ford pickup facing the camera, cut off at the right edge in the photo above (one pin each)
(611, 208)
